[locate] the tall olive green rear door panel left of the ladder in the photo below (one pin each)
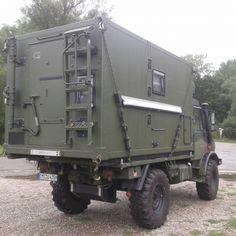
(47, 86)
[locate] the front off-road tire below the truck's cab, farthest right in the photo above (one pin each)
(209, 189)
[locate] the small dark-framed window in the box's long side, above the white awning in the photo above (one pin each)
(158, 82)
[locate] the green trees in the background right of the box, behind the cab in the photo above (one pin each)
(218, 88)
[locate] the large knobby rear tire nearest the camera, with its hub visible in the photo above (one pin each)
(149, 207)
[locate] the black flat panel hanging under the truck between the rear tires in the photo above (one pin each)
(105, 193)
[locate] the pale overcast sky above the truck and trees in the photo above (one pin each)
(180, 26)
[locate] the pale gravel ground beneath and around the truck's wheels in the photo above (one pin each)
(26, 209)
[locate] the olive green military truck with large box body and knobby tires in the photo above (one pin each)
(102, 110)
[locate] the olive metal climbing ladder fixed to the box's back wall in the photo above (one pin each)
(78, 81)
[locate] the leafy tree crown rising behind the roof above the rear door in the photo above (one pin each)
(44, 14)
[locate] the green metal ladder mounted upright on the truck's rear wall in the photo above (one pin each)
(78, 77)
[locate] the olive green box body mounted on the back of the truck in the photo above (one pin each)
(122, 63)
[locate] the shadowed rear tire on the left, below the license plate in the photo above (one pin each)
(66, 201)
